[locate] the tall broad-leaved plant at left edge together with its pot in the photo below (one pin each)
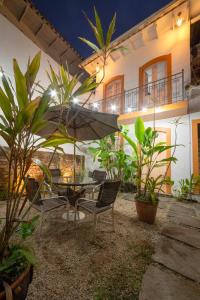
(21, 119)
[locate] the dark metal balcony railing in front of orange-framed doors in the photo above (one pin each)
(161, 92)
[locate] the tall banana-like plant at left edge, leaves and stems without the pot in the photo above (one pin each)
(22, 117)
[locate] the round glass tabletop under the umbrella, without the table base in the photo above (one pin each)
(69, 181)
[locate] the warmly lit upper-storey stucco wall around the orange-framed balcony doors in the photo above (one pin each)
(176, 42)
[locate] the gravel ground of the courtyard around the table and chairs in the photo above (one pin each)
(72, 265)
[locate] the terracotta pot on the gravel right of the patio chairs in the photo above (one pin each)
(146, 211)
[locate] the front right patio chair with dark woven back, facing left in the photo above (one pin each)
(105, 201)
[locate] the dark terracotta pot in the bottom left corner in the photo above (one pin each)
(20, 285)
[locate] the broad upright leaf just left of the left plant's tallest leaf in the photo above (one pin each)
(20, 82)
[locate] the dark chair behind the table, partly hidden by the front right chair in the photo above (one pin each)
(99, 177)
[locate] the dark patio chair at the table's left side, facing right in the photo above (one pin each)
(43, 205)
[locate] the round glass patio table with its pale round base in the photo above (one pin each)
(70, 182)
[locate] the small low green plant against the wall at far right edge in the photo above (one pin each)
(186, 187)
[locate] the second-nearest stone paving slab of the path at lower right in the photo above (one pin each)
(178, 257)
